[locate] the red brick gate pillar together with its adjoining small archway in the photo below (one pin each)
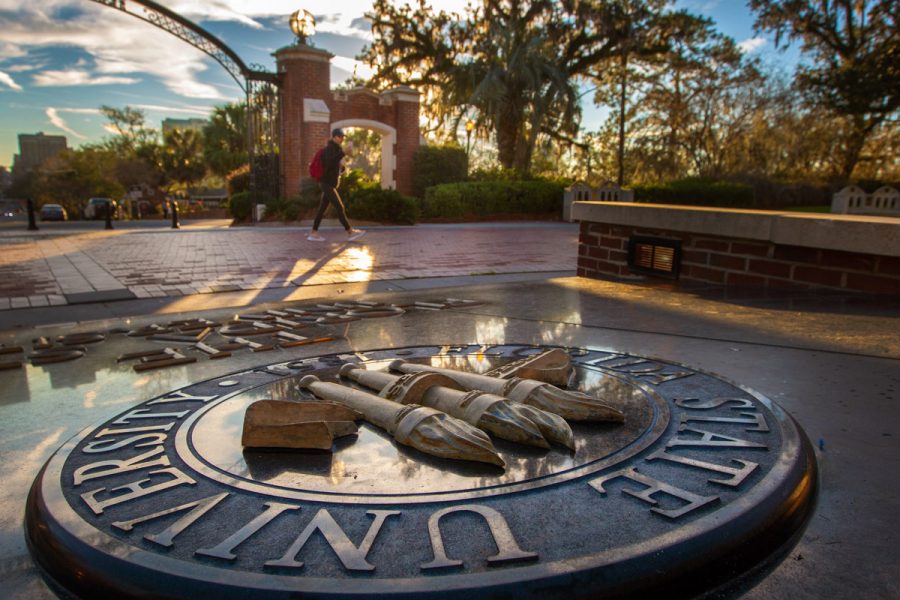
(310, 110)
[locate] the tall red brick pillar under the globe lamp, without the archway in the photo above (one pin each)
(305, 109)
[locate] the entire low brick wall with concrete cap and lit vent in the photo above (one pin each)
(763, 249)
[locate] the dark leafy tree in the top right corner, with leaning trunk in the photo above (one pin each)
(855, 45)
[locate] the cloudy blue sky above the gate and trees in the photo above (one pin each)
(60, 60)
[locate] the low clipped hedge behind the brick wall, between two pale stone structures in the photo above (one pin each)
(699, 192)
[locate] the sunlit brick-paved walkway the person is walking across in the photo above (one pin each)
(71, 266)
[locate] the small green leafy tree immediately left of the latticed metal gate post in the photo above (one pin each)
(225, 139)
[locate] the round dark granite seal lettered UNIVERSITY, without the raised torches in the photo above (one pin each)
(704, 487)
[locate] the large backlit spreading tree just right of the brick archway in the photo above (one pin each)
(517, 63)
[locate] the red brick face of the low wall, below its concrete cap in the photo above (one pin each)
(603, 252)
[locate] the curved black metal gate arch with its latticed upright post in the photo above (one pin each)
(260, 87)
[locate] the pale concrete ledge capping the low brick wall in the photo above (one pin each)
(849, 233)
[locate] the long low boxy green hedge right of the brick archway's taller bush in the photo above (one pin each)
(485, 198)
